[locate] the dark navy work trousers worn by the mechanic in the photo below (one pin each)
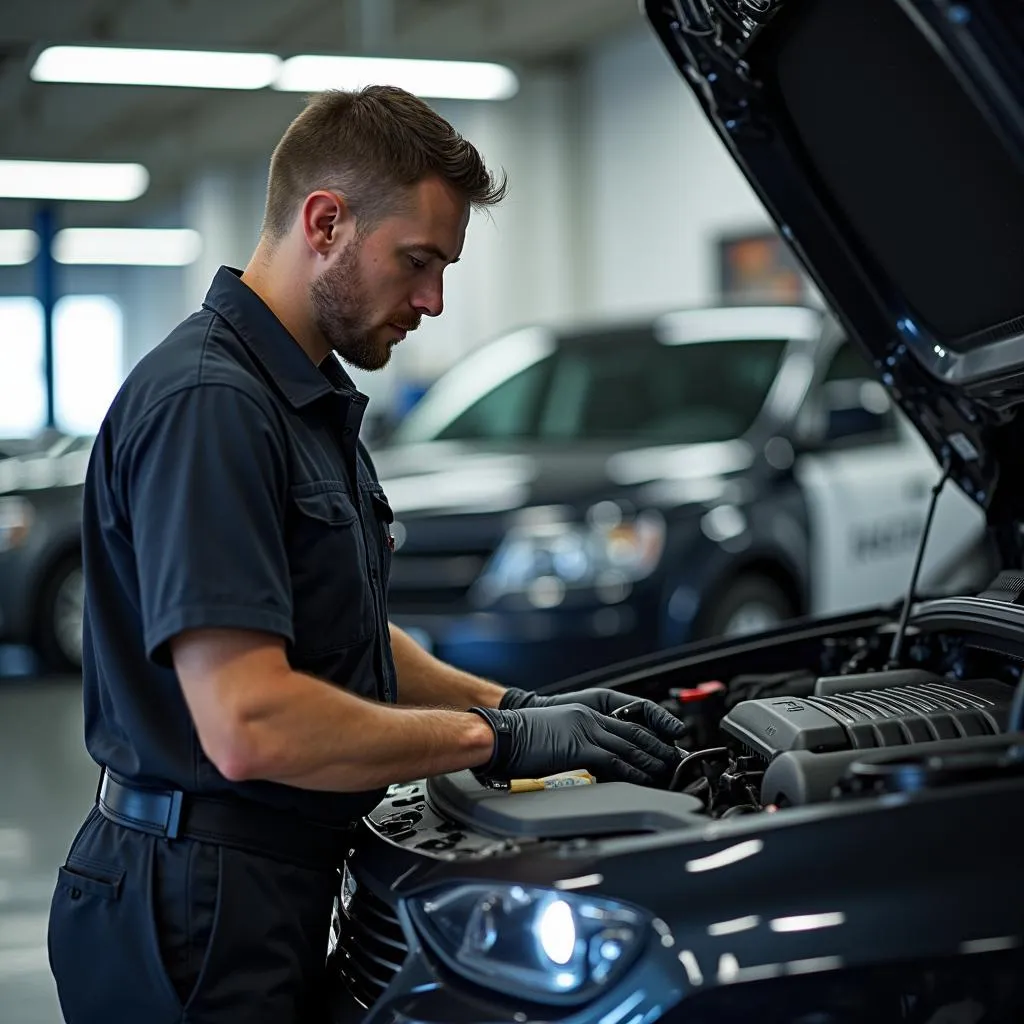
(154, 931)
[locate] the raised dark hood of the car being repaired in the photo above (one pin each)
(886, 139)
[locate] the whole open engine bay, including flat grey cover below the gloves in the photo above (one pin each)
(833, 720)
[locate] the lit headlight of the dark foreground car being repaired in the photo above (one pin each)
(561, 948)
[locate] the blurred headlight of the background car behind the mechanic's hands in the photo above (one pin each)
(544, 559)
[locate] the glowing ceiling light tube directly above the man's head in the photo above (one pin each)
(437, 79)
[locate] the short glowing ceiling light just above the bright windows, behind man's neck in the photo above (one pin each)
(129, 246)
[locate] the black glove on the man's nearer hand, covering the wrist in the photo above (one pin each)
(531, 743)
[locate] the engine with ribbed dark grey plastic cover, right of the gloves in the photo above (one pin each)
(835, 737)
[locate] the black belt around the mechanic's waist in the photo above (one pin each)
(237, 824)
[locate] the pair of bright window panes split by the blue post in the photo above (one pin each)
(89, 340)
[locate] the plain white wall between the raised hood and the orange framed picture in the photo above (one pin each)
(661, 185)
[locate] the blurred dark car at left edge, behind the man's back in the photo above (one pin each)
(41, 587)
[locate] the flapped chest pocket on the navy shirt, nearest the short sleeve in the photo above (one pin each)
(331, 595)
